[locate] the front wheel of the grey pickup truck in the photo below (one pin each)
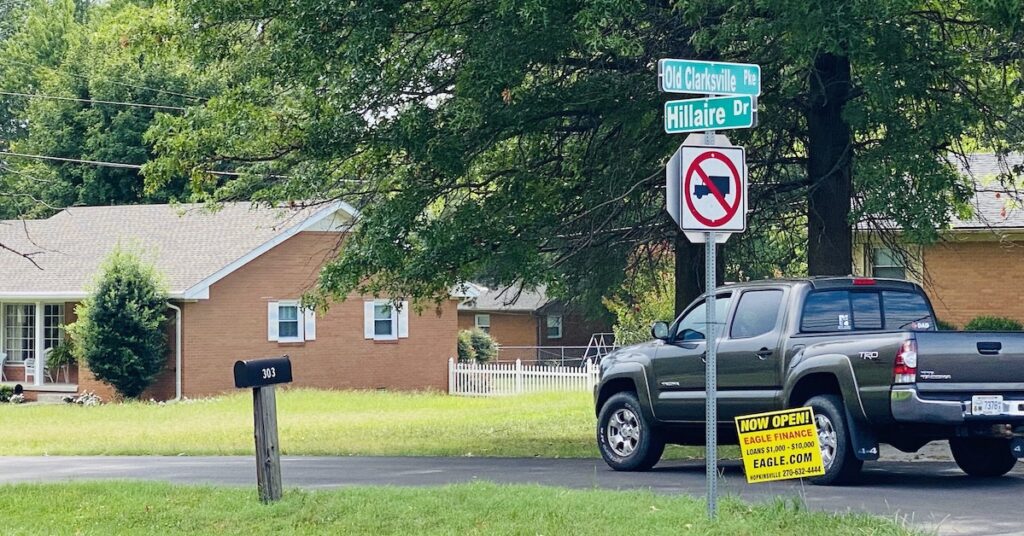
(627, 440)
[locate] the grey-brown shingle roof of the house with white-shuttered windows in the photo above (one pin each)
(187, 243)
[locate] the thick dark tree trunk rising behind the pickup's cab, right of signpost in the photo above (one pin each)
(830, 163)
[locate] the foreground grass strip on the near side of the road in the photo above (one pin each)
(468, 509)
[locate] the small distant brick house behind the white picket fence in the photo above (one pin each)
(529, 325)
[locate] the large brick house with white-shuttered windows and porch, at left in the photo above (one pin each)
(235, 279)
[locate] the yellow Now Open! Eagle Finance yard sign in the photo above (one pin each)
(780, 445)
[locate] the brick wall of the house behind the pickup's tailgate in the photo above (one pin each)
(965, 280)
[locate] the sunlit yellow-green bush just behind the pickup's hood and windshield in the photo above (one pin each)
(648, 299)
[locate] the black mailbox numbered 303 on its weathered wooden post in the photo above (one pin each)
(263, 376)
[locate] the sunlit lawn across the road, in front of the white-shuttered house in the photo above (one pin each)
(319, 423)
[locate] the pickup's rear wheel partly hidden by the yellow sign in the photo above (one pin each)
(842, 466)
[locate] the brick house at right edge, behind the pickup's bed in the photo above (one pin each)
(973, 270)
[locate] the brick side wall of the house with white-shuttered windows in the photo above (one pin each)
(233, 325)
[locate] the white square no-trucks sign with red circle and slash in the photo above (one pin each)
(713, 189)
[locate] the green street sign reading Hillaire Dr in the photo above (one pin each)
(717, 113)
